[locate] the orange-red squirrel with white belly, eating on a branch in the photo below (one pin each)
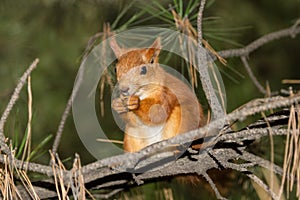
(154, 104)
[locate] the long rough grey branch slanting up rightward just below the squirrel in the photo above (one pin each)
(130, 160)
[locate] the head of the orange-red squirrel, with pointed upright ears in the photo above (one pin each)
(137, 68)
